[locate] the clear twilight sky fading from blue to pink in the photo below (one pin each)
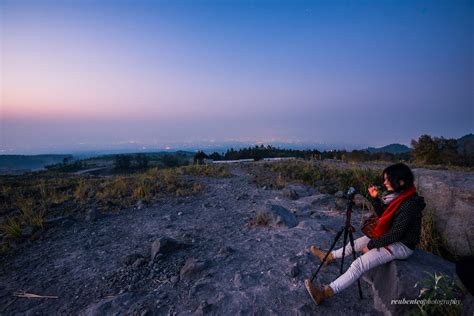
(79, 74)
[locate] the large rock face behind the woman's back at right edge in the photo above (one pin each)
(450, 195)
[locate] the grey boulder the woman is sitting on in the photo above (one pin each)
(397, 280)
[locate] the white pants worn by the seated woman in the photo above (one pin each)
(369, 260)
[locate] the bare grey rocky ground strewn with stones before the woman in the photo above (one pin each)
(186, 255)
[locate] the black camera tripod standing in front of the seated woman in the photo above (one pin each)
(347, 229)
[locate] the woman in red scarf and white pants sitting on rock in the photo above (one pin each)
(395, 236)
